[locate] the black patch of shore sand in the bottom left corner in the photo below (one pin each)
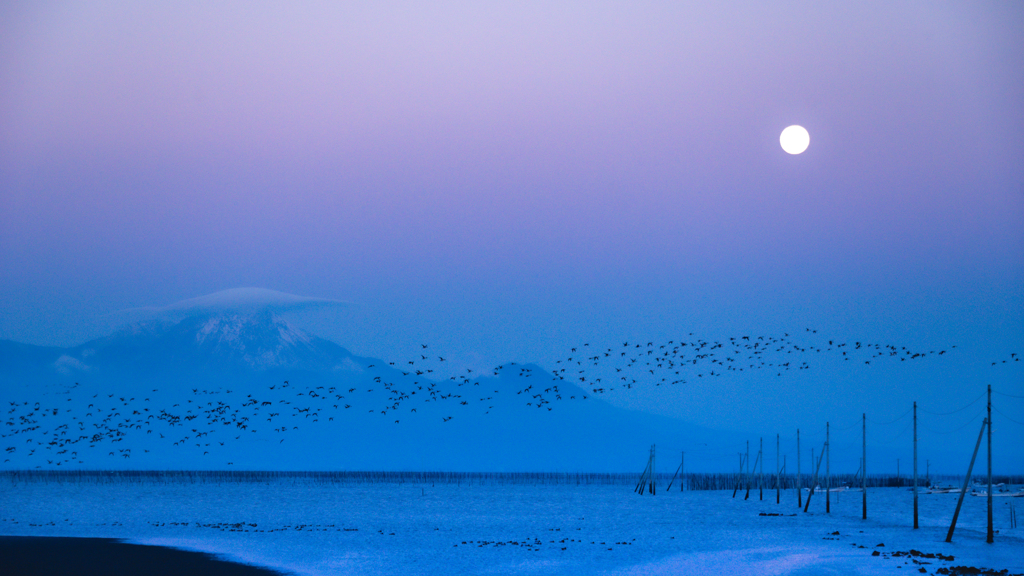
(88, 557)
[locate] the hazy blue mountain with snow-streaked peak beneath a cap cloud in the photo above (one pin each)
(243, 389)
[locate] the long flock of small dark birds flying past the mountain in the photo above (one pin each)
(90, 423)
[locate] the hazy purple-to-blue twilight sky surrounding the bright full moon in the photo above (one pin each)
(505, 181)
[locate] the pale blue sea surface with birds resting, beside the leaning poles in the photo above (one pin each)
(313, 528)
